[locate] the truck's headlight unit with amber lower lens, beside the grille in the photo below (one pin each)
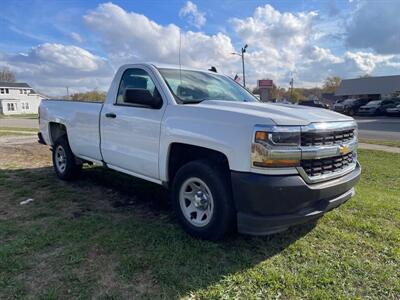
(276, 147)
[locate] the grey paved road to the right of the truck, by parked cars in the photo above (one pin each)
(379, 128)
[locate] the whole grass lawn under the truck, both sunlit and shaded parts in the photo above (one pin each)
(111, 236)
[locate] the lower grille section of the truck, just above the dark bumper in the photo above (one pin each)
(325, 166)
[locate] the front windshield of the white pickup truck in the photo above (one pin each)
(196, 86)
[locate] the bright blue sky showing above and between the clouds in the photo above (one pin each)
(24, 24)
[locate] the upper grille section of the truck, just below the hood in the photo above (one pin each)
(326, 138)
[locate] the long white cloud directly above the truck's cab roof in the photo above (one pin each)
(131, 37)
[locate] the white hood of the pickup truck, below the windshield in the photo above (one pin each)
(280, 114)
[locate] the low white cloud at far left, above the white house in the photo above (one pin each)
(51, 67)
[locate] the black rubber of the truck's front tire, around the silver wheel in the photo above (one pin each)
(223, 218)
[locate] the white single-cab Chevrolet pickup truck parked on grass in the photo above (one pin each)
(230, 162)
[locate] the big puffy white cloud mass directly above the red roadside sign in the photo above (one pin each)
(284, 43)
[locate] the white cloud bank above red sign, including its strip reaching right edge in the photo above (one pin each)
(285, 43)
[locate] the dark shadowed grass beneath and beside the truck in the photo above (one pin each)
(111, 235)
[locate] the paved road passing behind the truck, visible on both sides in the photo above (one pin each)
(377, 128)
